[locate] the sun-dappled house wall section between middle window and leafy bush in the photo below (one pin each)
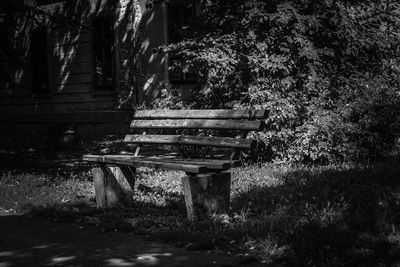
(144, 72)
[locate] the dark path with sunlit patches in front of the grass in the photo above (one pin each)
(40, 241)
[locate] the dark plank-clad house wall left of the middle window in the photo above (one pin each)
(70, 62)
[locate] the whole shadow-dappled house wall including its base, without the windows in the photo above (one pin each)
(140, 73)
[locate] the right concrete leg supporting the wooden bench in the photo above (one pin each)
(206, 194)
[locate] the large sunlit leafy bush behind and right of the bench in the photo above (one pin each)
(328, 71)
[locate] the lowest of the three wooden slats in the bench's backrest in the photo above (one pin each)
(191, 140)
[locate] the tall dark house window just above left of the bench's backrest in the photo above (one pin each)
(103, 54)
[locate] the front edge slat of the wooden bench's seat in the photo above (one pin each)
(137, 161)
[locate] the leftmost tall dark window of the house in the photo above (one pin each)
(39, 61)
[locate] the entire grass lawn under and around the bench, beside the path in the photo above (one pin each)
(345, 215)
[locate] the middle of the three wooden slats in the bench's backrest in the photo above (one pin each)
(198, 124)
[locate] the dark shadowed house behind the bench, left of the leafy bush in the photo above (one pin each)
(86, 64)
